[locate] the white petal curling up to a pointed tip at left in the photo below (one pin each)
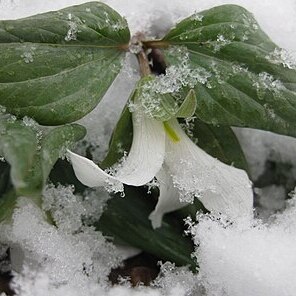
(143, 162)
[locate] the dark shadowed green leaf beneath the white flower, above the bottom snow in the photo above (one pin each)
(126, 219)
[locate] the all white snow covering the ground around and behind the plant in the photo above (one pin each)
(235, 260)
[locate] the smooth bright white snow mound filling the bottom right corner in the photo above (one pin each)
(241, 260)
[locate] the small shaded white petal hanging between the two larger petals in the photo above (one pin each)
(168, 199)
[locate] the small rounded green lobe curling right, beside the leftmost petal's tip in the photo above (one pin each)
(55, 144)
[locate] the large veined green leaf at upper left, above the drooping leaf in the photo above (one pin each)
(55, 67)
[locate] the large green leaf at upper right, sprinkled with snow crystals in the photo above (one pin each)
(238, 74)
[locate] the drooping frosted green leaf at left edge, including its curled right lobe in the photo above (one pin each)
(32, 153)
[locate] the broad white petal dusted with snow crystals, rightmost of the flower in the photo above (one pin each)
(220, 187)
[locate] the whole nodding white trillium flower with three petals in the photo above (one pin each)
(184, 171)
